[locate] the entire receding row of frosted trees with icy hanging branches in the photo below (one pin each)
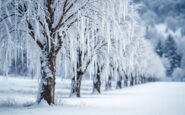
(103, 39)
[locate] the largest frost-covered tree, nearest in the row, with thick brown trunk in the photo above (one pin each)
(47, 23)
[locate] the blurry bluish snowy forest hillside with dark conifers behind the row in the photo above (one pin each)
(164, 21)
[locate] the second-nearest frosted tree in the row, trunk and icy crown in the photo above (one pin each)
(87, 45)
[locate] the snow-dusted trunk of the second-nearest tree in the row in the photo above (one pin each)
(76, 84)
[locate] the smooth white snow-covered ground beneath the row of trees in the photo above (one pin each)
(162, 98)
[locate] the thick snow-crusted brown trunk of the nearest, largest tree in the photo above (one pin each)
(47, 83)
